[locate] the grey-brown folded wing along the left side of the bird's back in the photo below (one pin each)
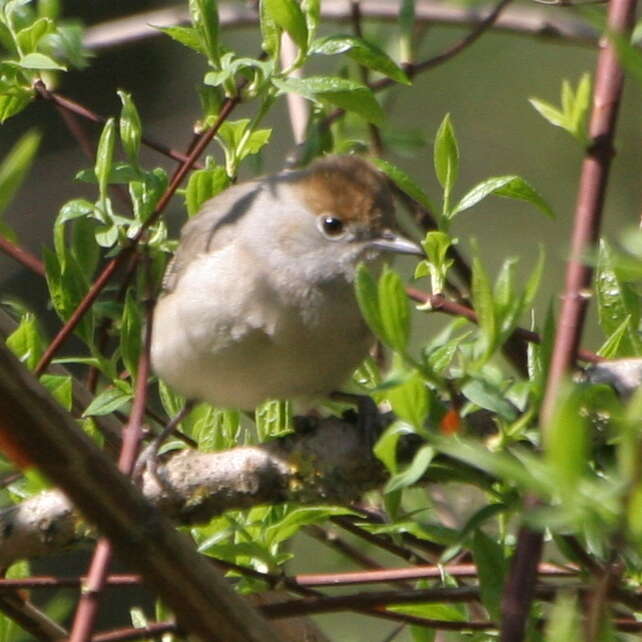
(210, 228)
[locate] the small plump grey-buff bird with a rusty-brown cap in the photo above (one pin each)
(258, 302)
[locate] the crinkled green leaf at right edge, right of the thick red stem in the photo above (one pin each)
(616, 302)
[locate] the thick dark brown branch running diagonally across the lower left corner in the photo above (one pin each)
(198, 594)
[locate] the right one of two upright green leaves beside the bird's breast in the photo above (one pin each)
(394, 310)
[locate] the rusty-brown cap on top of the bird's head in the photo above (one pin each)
(349, 187)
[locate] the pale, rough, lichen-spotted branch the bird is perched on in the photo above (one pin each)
(331, 464)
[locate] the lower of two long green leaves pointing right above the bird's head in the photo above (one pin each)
(331, 90)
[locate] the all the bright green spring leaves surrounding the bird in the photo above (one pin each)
(582, 465)
